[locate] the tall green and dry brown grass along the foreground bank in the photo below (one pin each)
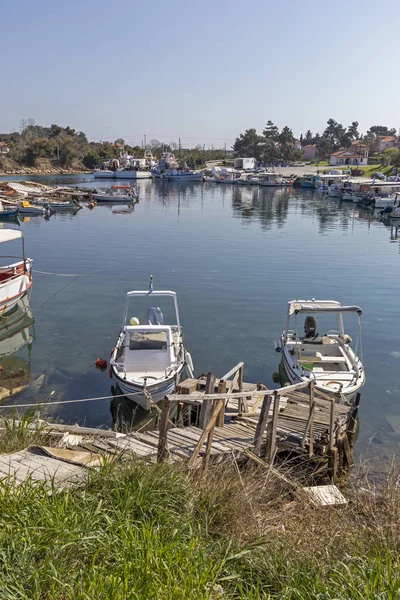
(135, 531)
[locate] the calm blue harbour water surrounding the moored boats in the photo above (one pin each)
(235, 256)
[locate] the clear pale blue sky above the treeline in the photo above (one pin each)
(204, 71)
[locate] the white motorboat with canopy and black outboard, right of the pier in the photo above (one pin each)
(329, 358)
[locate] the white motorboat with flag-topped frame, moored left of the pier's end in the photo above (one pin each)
(149, 356)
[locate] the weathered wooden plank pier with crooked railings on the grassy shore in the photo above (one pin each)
(207, 421)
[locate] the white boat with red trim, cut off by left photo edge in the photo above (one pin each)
(15, 278)
